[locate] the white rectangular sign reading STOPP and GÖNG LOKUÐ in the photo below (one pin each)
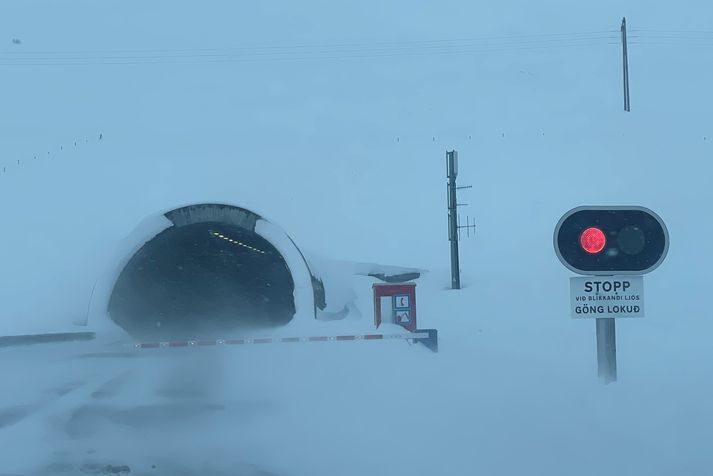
(606, 296)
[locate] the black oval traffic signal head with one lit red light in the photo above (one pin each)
(611, 240)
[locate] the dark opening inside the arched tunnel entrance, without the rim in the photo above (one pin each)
(203, 280)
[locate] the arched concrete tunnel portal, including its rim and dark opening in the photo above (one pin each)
(207, 270)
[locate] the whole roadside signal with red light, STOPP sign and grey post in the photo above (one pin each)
(613, 247)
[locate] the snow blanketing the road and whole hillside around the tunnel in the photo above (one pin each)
(347, 155)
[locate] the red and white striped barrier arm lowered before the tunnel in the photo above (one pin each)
(426, 336)
